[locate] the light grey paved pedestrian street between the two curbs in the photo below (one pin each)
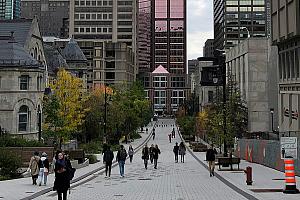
(171, 180)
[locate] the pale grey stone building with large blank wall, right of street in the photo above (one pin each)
(252, 64)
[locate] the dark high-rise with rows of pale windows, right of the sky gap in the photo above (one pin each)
(236, 20)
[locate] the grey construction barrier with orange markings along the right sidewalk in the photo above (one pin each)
(265, 152)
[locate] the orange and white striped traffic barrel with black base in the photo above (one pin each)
(290, 180)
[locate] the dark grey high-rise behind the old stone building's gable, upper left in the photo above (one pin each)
(52, 15)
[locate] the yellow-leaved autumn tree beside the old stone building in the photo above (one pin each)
(64, 111)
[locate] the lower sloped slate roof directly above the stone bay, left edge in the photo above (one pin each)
(13, 53)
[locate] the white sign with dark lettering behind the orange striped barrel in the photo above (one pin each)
(288, 147)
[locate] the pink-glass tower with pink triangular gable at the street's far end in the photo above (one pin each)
(167, 88)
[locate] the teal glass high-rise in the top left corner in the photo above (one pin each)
(10, 9)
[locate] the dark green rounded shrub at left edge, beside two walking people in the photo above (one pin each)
(9, 163)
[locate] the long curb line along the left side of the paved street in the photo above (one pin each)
(114, 164)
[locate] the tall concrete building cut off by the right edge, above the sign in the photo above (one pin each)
(286, 35)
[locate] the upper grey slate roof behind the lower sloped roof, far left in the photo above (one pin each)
(20, 27)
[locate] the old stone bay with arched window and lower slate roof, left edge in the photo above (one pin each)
(21, 89)
